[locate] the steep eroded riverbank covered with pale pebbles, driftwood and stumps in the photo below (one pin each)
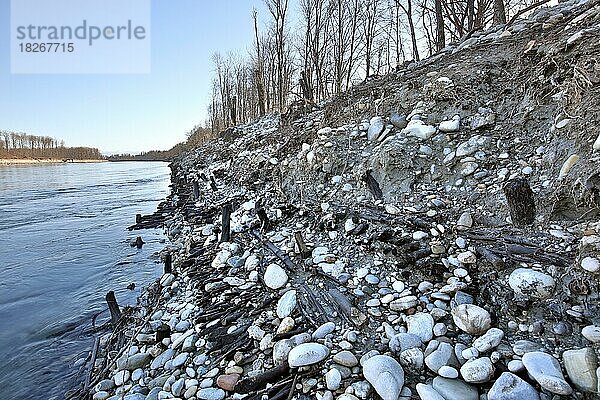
(376, 247)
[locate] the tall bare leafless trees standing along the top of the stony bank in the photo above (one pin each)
(333, 44)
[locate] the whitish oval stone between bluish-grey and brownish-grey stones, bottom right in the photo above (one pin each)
(546, 370)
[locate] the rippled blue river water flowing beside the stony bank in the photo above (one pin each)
(63, 246)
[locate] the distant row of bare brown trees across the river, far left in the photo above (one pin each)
(22, 145)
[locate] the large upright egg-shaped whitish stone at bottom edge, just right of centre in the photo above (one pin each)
(385, 375)
